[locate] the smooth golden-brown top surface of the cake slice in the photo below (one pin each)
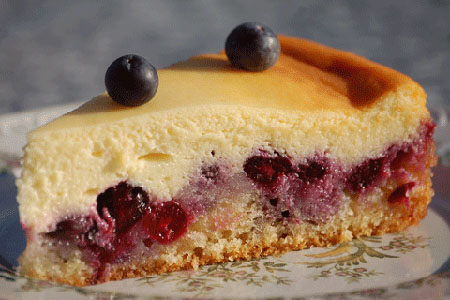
(307, 77)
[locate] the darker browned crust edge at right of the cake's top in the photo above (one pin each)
(361, 80)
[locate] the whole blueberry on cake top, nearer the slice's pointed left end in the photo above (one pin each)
(131, 80)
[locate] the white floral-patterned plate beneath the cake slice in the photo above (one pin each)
(414, 264)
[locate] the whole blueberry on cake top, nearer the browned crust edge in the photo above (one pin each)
(252, 46)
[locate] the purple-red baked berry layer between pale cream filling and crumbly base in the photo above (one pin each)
(129, 221)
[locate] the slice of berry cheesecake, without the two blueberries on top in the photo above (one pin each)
(225, 164)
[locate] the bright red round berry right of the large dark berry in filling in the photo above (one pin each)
(166, 222)
